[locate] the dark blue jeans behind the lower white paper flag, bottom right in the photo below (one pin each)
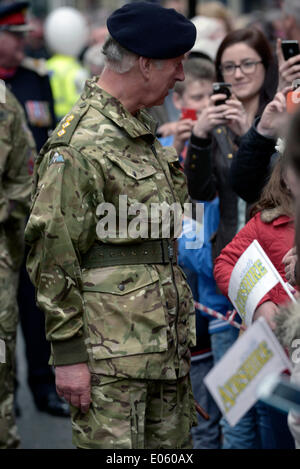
(262, 427)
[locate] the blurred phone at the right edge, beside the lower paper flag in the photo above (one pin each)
(279, 392)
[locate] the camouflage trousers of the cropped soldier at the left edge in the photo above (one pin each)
(8, 329)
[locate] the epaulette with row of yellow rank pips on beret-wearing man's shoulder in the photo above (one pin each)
(64, 131)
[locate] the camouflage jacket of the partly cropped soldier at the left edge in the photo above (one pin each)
(17, 149)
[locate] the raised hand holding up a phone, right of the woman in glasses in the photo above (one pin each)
(274, 117)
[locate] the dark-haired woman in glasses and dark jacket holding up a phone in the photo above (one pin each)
(244, 60)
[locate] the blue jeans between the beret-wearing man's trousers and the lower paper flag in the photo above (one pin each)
(207, 434)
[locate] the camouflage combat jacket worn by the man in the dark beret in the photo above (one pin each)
(128, 320)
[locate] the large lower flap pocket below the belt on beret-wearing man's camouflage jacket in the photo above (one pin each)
(124, 312)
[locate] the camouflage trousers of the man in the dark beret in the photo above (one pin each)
(136, 414)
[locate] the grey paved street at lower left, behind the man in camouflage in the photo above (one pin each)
(38, 430)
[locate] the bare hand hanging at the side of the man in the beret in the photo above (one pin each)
(73, 383)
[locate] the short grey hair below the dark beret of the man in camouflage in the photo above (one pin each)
(117, 58)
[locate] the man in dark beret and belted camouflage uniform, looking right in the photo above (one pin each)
(119, 313)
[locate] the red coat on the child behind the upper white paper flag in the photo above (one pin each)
(275, 237)
